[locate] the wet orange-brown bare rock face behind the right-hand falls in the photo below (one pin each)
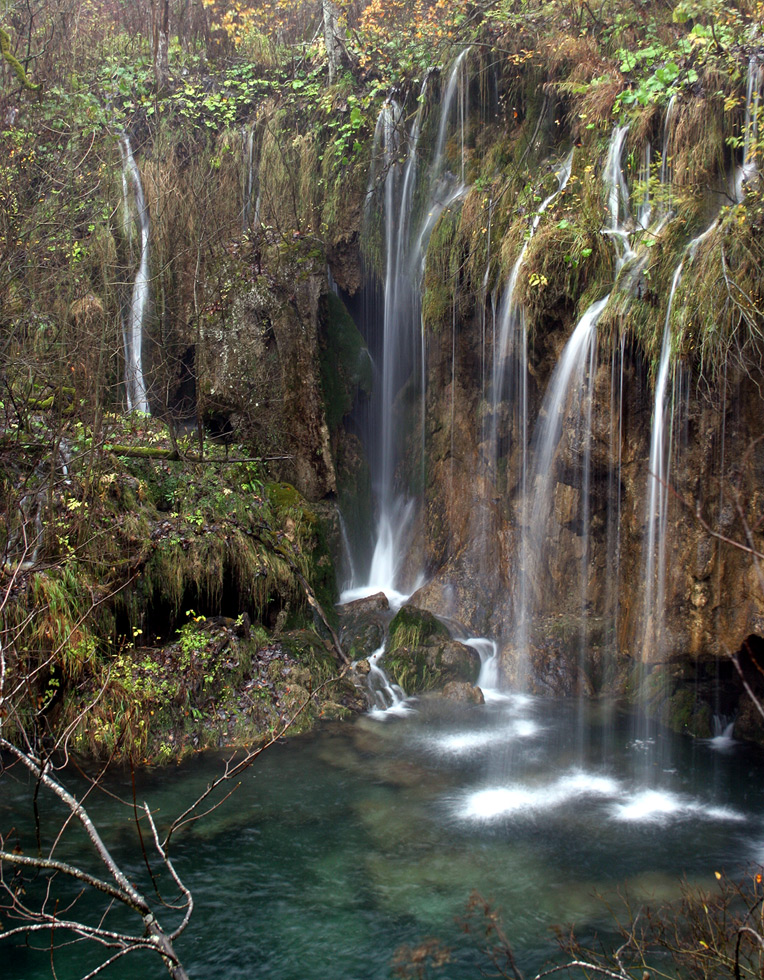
(587, 583)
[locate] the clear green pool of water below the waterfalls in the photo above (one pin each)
(343, 845)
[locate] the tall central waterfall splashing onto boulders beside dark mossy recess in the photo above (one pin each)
(398, 408)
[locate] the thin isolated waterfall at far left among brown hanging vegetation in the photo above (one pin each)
(133, 327)
